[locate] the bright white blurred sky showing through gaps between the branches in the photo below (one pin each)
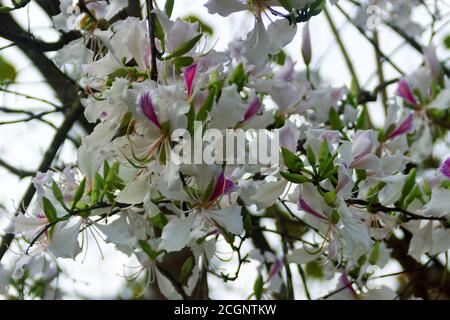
(22, 144)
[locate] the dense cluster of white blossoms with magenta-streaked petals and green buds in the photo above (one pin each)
(339, 192)
